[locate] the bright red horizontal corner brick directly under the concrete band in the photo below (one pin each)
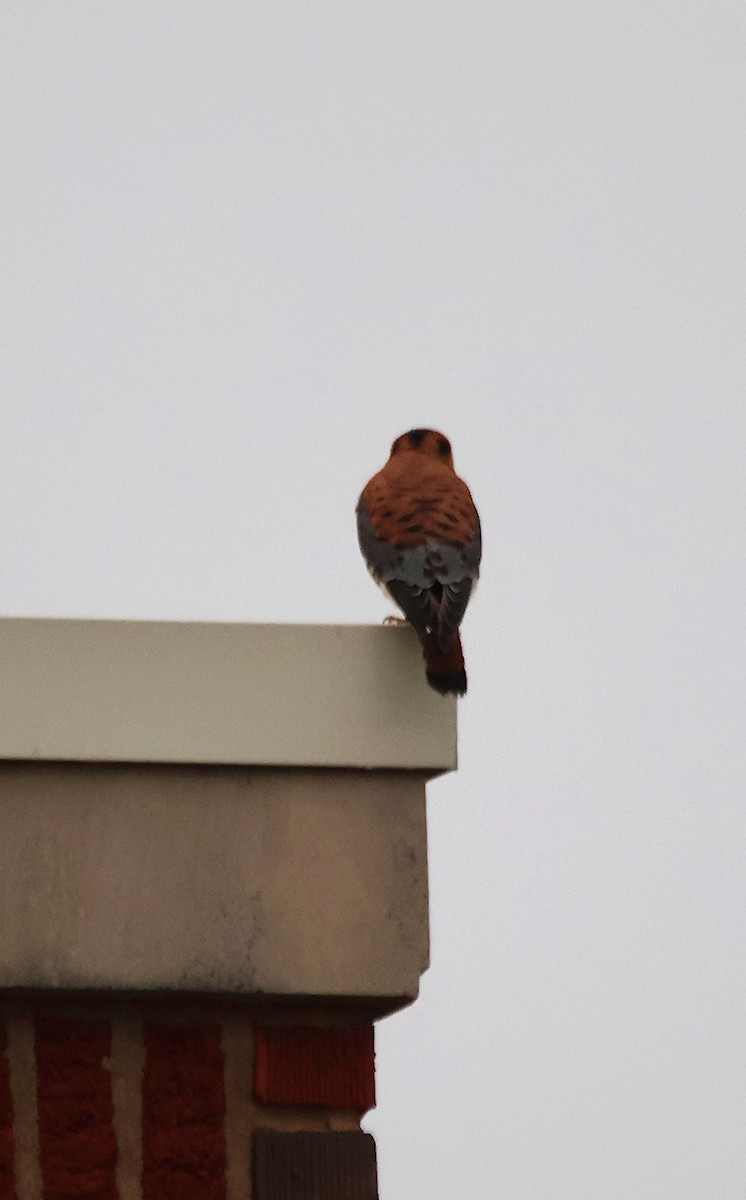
(328, 1066)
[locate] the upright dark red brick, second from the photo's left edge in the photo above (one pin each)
(76, 1135)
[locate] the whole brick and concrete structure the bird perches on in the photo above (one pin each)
(213, 884)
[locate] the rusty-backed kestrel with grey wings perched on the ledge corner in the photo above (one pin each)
(420, 536)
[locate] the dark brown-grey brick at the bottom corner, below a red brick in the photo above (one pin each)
(314, 1167)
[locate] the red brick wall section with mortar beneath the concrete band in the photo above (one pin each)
(158, 1121)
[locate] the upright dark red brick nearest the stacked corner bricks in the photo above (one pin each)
(184, 1113)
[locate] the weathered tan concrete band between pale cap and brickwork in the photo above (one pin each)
(287, 883)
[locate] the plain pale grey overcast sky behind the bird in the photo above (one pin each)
(243, 248)
